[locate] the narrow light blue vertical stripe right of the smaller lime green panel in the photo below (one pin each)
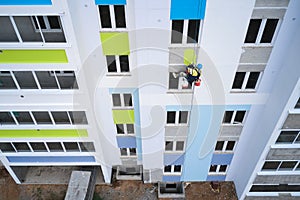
(137, 124)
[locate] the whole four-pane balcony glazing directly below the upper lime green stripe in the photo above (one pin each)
(38, 80)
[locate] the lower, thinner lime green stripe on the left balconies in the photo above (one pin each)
(43, 133)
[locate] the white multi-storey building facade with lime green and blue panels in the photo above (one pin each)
(90, 83)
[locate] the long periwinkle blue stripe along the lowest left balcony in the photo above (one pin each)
(44, 159)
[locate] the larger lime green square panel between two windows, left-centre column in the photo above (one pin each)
(115, 43)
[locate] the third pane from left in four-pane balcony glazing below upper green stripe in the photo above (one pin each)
(46, 79)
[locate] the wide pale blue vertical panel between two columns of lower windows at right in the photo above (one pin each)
(204, 128)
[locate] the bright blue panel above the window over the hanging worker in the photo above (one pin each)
(187, 9)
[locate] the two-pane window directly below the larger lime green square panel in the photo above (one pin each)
(117, 64)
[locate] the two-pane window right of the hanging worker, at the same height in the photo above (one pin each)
(246, 81)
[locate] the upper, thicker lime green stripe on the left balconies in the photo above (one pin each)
(33, 56)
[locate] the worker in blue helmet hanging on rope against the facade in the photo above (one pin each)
(192, 74)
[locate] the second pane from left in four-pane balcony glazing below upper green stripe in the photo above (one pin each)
(25, 79)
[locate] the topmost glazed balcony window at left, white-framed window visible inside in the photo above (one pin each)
(43, 29)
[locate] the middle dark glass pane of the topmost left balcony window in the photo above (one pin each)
(26, 29)
